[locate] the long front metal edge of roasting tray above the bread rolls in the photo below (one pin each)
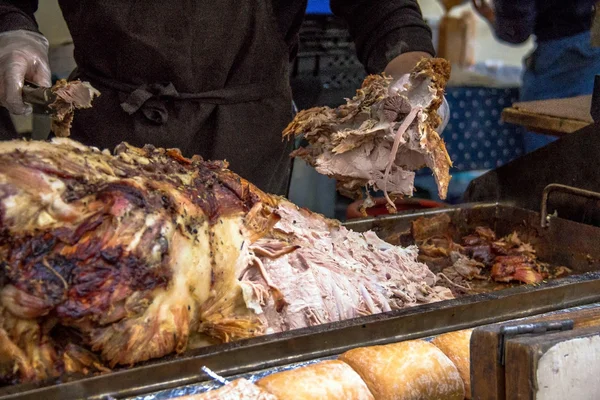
(325, 340)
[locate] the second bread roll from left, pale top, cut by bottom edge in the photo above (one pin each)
(324, 380)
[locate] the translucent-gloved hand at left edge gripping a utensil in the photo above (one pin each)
(23, 55)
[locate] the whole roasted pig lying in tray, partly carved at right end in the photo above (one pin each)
(110, 260)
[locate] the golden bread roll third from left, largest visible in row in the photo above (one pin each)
(413, 370)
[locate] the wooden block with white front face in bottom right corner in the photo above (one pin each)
(554, 366)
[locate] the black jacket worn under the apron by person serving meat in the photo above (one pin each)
(382, 29)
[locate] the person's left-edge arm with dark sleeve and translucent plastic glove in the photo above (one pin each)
(23, 53)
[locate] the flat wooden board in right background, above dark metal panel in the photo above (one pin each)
(553, 117)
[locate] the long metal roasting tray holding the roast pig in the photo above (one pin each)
(562, 242)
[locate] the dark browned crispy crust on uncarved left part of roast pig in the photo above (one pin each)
(80, 271)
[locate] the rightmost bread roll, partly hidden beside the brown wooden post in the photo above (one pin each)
(457, 347)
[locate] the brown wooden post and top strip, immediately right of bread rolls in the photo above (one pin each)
(488, 380)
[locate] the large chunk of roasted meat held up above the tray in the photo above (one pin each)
(380, 137)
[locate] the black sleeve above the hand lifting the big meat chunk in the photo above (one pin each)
(384, 29)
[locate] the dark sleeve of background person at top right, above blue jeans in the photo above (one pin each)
(515, 20)
